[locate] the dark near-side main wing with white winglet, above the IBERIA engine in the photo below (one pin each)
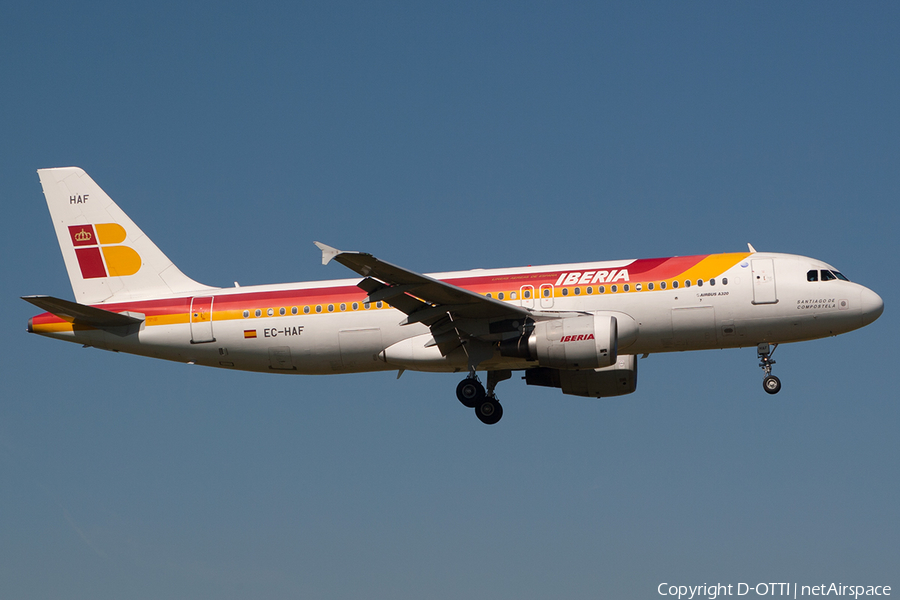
(424, 299)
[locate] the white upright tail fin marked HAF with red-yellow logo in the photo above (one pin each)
(107, 256)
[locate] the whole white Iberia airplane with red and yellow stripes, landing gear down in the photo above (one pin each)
(576, 327)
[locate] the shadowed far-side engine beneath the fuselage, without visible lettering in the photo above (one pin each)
(615, 380)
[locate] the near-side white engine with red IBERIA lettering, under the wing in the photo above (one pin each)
(588, 342)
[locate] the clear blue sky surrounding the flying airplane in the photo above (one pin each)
(441, 137)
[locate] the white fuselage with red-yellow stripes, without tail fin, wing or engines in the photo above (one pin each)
(761, 298)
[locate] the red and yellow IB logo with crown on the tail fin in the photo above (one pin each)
(99, 253)
